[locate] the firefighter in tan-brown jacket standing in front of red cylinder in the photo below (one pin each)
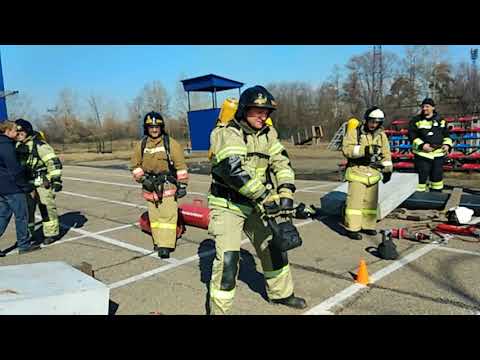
(159, 165)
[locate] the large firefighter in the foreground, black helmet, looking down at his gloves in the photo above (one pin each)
(252, 179)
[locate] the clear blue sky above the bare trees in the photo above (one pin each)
(117, 73)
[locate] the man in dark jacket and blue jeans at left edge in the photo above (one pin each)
(14, 189)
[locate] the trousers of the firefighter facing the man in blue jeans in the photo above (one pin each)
(45, 198)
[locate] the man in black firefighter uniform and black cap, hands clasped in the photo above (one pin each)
(428, 133)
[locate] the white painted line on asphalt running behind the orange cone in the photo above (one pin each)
(352, 289)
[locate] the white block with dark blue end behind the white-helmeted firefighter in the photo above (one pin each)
(390, 195)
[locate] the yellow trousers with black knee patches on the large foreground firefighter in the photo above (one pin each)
(227, 228)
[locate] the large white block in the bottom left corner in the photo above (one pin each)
(50, 288)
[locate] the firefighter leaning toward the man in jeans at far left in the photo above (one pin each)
(44, 170)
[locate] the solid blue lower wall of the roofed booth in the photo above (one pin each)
(201, 123)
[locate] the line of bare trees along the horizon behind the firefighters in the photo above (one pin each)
(397, 84)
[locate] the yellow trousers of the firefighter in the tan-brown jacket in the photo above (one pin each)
(163, 222)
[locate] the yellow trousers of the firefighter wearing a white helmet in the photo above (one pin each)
(361, 206)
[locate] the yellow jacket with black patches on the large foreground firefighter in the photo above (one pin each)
(245, 163)
